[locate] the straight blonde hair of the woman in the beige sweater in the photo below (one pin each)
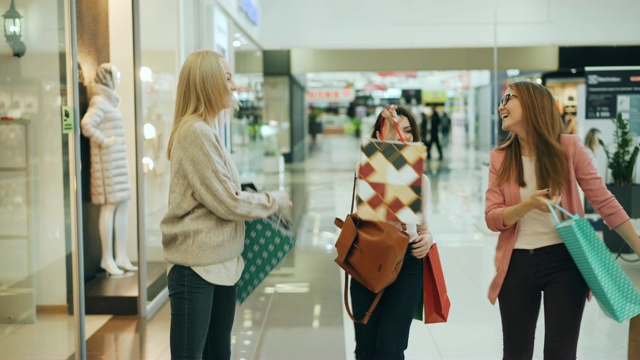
(203, 91)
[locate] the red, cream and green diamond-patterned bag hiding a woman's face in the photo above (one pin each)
(390, 181)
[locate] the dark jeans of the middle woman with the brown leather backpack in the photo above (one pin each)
(386, 335)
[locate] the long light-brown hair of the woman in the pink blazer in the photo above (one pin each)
(543, 127)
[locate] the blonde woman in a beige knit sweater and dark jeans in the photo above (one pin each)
(203, 230)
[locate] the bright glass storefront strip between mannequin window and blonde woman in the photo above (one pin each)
(160, 63)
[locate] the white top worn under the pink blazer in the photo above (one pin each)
(536, 228)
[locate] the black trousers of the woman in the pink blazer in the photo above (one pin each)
(551, 270)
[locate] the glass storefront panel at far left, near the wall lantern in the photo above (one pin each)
(36, 287)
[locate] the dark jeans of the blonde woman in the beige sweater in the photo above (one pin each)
(201, 316)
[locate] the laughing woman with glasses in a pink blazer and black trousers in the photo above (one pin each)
(534, 165)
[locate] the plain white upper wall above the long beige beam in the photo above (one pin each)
(374, 24)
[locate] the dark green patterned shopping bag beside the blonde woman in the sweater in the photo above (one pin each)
(267, 242)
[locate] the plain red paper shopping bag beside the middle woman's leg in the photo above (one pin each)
(436, 300)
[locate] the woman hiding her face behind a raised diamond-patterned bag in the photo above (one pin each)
(386, 335)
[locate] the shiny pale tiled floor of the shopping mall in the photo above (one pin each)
(298, 313)
